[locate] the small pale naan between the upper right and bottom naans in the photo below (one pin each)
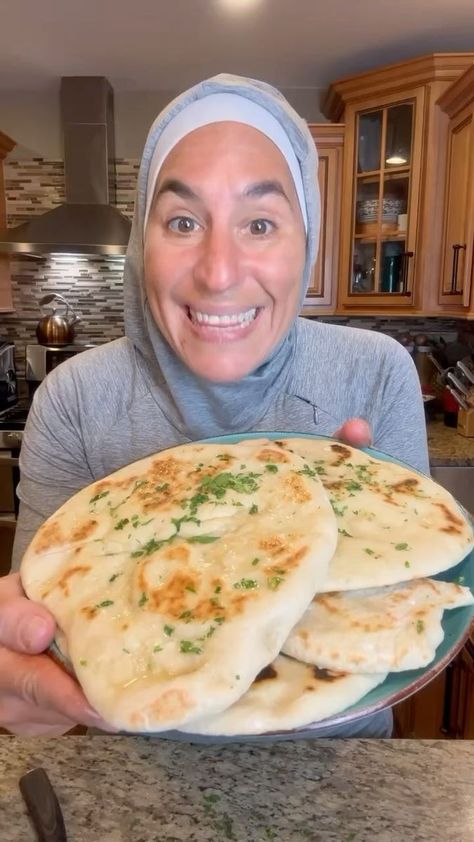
(394, 628)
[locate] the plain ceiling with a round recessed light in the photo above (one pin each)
(150, 45)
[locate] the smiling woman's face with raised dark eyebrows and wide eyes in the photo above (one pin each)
(224, 250)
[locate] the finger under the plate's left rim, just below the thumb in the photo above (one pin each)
(38, 681)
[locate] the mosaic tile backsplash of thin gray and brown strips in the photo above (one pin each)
(93, 286)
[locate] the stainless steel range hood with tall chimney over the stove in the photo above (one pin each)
(87, 223)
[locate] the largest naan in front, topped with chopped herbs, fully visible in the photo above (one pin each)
(178, 578)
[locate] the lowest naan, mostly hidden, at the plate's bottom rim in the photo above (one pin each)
(286, 695)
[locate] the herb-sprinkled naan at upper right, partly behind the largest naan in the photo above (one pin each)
(394, 524)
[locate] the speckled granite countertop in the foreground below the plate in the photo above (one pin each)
(132, 789)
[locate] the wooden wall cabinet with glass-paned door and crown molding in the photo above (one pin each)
(395, 154)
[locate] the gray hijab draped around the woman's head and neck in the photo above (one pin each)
(197, 407)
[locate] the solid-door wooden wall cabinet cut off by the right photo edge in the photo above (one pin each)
(456, 283)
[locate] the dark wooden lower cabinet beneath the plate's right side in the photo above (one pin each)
(444, 709)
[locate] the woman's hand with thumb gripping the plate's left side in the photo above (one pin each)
(36, 696)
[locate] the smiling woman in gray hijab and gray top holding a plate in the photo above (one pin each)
(221, 252)
